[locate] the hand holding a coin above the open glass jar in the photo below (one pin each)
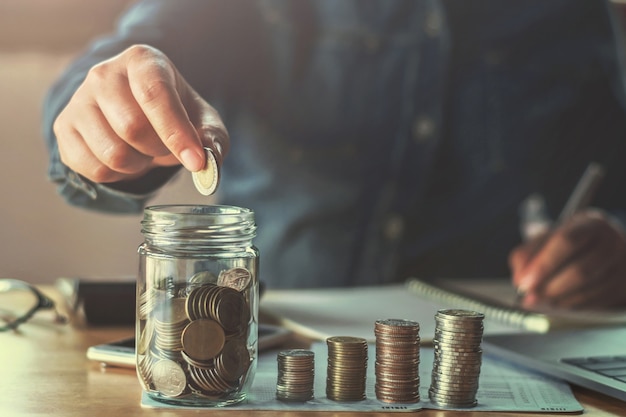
(135, 112)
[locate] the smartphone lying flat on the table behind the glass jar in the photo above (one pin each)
(121, 353)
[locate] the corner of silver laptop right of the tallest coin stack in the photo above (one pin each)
(591, 358)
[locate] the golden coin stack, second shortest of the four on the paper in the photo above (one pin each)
(347, 368)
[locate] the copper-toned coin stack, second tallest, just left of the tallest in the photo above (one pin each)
(397, 361)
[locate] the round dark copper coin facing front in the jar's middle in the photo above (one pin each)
(203, 339)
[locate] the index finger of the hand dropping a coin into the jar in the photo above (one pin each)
(154, 83)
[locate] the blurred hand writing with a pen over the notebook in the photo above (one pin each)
(581, 264)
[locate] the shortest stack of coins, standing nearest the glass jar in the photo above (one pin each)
(296, 374)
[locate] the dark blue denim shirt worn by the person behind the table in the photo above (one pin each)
(381, 139)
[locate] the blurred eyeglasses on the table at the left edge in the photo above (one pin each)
(19, 301)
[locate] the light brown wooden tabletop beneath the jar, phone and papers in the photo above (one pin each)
(44, 372)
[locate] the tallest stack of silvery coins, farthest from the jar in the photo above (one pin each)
(458, 357)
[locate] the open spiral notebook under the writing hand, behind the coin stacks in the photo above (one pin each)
(325, 312)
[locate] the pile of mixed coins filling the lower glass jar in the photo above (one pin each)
(193, 337)
